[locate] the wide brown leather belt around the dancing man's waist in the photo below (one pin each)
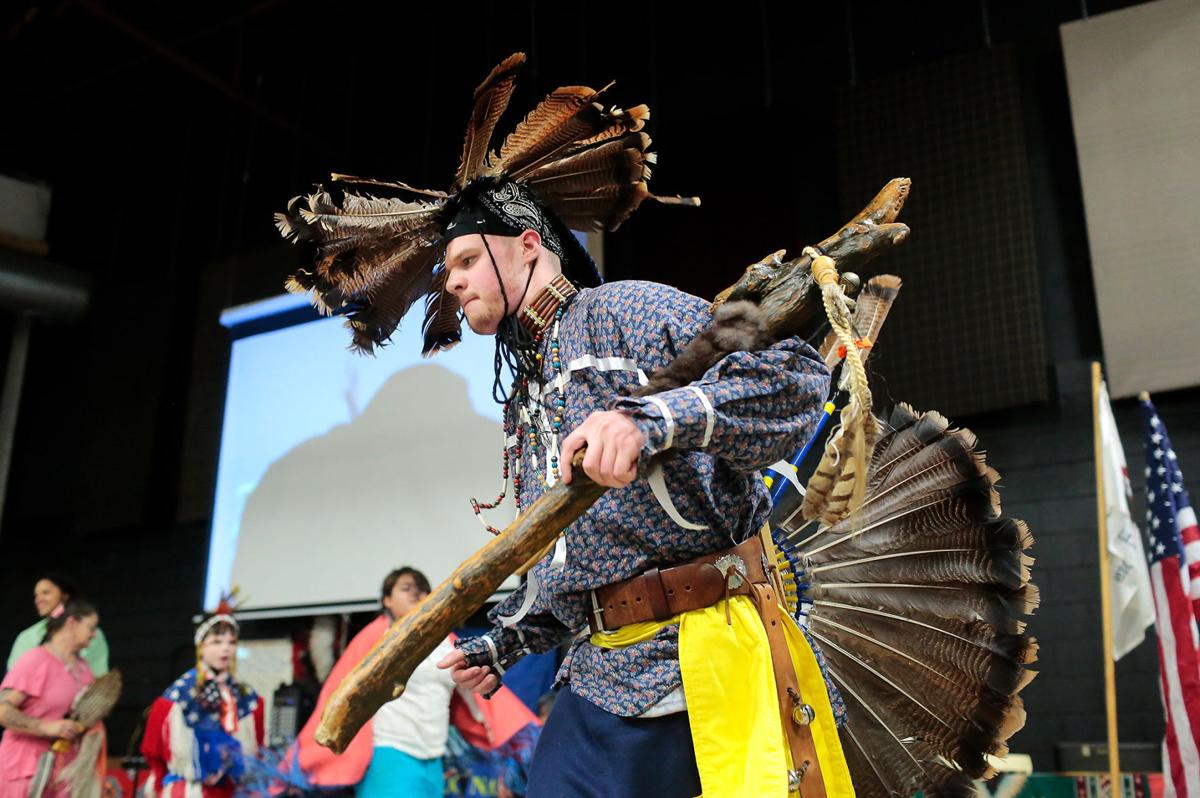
(662, 593)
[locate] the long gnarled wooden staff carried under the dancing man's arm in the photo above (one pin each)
(789, 301)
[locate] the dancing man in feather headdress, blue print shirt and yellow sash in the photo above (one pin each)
(673, 693)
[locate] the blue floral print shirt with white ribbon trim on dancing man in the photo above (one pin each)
(710, 439)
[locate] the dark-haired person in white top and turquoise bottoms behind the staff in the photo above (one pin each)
(411, 733)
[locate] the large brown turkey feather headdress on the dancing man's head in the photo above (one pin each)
(373, 247)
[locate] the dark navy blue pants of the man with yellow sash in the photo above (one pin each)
(589, 753)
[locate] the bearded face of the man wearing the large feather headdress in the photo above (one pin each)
(473, 279)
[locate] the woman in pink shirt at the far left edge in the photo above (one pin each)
(37, 697)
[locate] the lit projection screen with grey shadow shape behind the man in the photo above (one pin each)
(337, 469)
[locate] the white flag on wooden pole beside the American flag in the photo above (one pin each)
(1133, 605)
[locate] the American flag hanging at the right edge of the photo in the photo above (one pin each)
(1174, 557)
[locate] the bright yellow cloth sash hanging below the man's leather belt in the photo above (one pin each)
(733, 706)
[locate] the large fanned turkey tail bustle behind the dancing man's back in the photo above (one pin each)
(919, 603)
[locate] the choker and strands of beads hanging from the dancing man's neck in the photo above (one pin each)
(525, 415)
